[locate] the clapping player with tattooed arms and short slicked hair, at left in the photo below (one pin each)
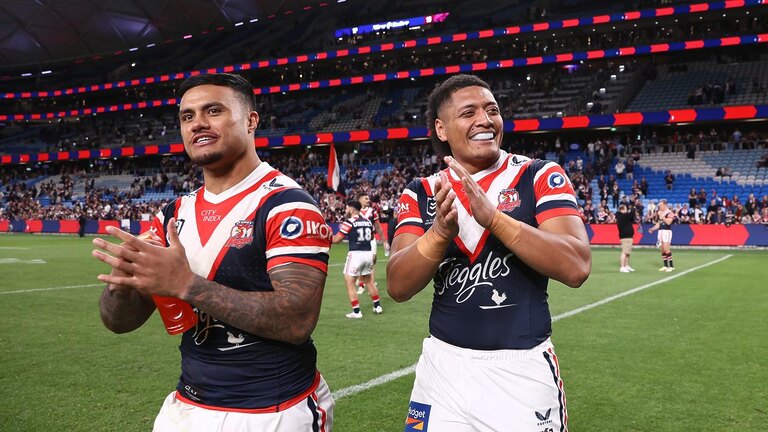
(249, 251)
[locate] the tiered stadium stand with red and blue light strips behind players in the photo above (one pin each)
(361, 86)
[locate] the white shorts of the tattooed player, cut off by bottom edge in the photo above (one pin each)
(311, 412)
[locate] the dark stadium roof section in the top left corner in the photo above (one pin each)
(34, 32)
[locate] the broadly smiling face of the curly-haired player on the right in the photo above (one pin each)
(471, 123)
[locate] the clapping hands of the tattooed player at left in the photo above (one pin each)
(146, 267)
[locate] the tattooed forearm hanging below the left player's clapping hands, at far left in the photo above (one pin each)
(124, 310)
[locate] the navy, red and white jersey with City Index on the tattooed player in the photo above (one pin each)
(235, 238)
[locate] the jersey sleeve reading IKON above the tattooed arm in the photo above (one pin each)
(296, 232)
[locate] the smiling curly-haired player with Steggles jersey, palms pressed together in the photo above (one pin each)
(489, 232)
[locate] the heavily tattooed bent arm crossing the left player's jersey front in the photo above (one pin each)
(289, 313)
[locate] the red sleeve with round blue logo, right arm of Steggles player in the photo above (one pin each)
(553, 192)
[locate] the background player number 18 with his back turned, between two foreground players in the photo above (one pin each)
(360, 262)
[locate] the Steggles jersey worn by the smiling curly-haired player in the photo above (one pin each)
(485, 297)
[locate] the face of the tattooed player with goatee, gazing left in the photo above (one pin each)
(216, 127)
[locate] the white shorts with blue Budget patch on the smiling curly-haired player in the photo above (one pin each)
(463, 390)
